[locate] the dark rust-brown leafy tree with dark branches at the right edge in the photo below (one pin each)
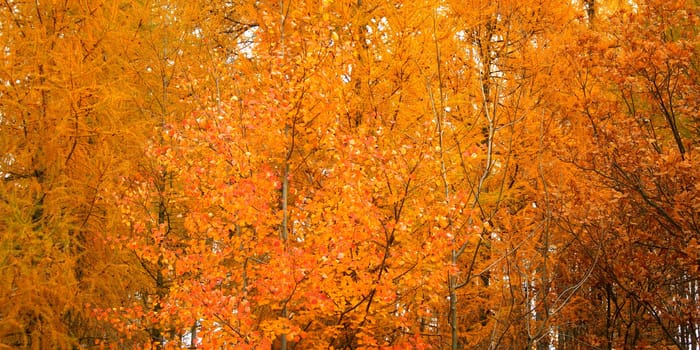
(632, 132)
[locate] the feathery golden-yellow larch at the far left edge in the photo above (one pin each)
(60, 134)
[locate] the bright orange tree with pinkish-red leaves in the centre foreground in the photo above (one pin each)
(278, 242)
